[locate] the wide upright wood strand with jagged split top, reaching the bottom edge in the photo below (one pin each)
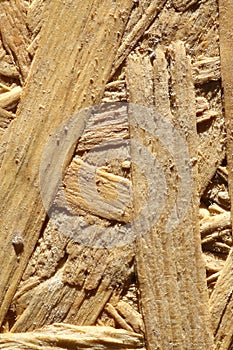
(164, 264)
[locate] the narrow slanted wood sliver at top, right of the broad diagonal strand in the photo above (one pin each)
(138, 30)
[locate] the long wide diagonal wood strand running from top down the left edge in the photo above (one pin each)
(54, 100)
